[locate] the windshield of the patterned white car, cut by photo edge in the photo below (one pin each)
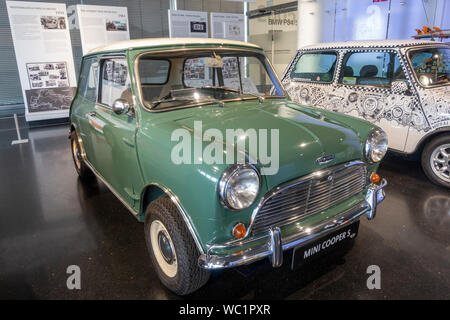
(431, 65)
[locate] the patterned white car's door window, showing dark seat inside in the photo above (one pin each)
(377, 69)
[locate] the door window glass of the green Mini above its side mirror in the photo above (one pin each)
(115, 81)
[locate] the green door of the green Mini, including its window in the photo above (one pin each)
(114, 143)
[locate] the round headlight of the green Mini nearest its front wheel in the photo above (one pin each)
(239, 186)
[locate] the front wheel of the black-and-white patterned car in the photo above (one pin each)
(436, 160)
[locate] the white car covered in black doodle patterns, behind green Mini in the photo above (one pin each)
(402, 86)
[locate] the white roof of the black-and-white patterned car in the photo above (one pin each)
(370, 43)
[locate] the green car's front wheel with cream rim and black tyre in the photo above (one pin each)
(172, 250)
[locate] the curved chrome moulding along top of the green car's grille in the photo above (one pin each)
(278, 189)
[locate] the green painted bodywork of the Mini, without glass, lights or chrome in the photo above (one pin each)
(132, 153)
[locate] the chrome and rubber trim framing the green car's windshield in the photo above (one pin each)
(150, 52)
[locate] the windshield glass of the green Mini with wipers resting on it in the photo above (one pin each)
(198, 77)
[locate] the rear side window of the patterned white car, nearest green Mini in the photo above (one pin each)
(315, 67)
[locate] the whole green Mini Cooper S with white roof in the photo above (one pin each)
(199, 140)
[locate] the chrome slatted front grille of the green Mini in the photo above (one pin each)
(309, 195)
